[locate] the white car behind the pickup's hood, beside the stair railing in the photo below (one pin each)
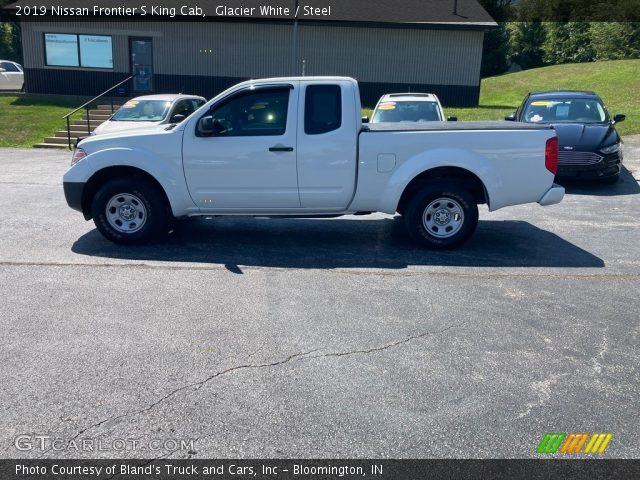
(150, 111)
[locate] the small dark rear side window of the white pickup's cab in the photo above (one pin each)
(322, 109)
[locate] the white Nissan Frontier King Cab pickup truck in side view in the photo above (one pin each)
(297, 147)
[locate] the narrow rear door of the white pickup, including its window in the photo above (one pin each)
(327, 144)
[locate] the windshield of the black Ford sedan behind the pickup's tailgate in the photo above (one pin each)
(565, 110)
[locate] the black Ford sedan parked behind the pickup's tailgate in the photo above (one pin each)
(589, 146)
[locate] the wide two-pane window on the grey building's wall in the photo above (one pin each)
(70, 50)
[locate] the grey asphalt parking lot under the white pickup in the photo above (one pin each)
(318, 338)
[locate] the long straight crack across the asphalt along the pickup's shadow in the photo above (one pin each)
(376, 270)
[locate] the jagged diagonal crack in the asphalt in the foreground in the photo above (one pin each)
(197, 385)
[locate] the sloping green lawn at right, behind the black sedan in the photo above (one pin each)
(617, 82)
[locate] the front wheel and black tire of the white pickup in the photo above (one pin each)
(144, 206)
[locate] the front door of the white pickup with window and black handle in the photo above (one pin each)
(246, 157)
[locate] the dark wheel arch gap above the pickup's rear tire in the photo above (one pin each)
(460, 175)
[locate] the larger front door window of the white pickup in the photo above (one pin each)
(260, 113)
